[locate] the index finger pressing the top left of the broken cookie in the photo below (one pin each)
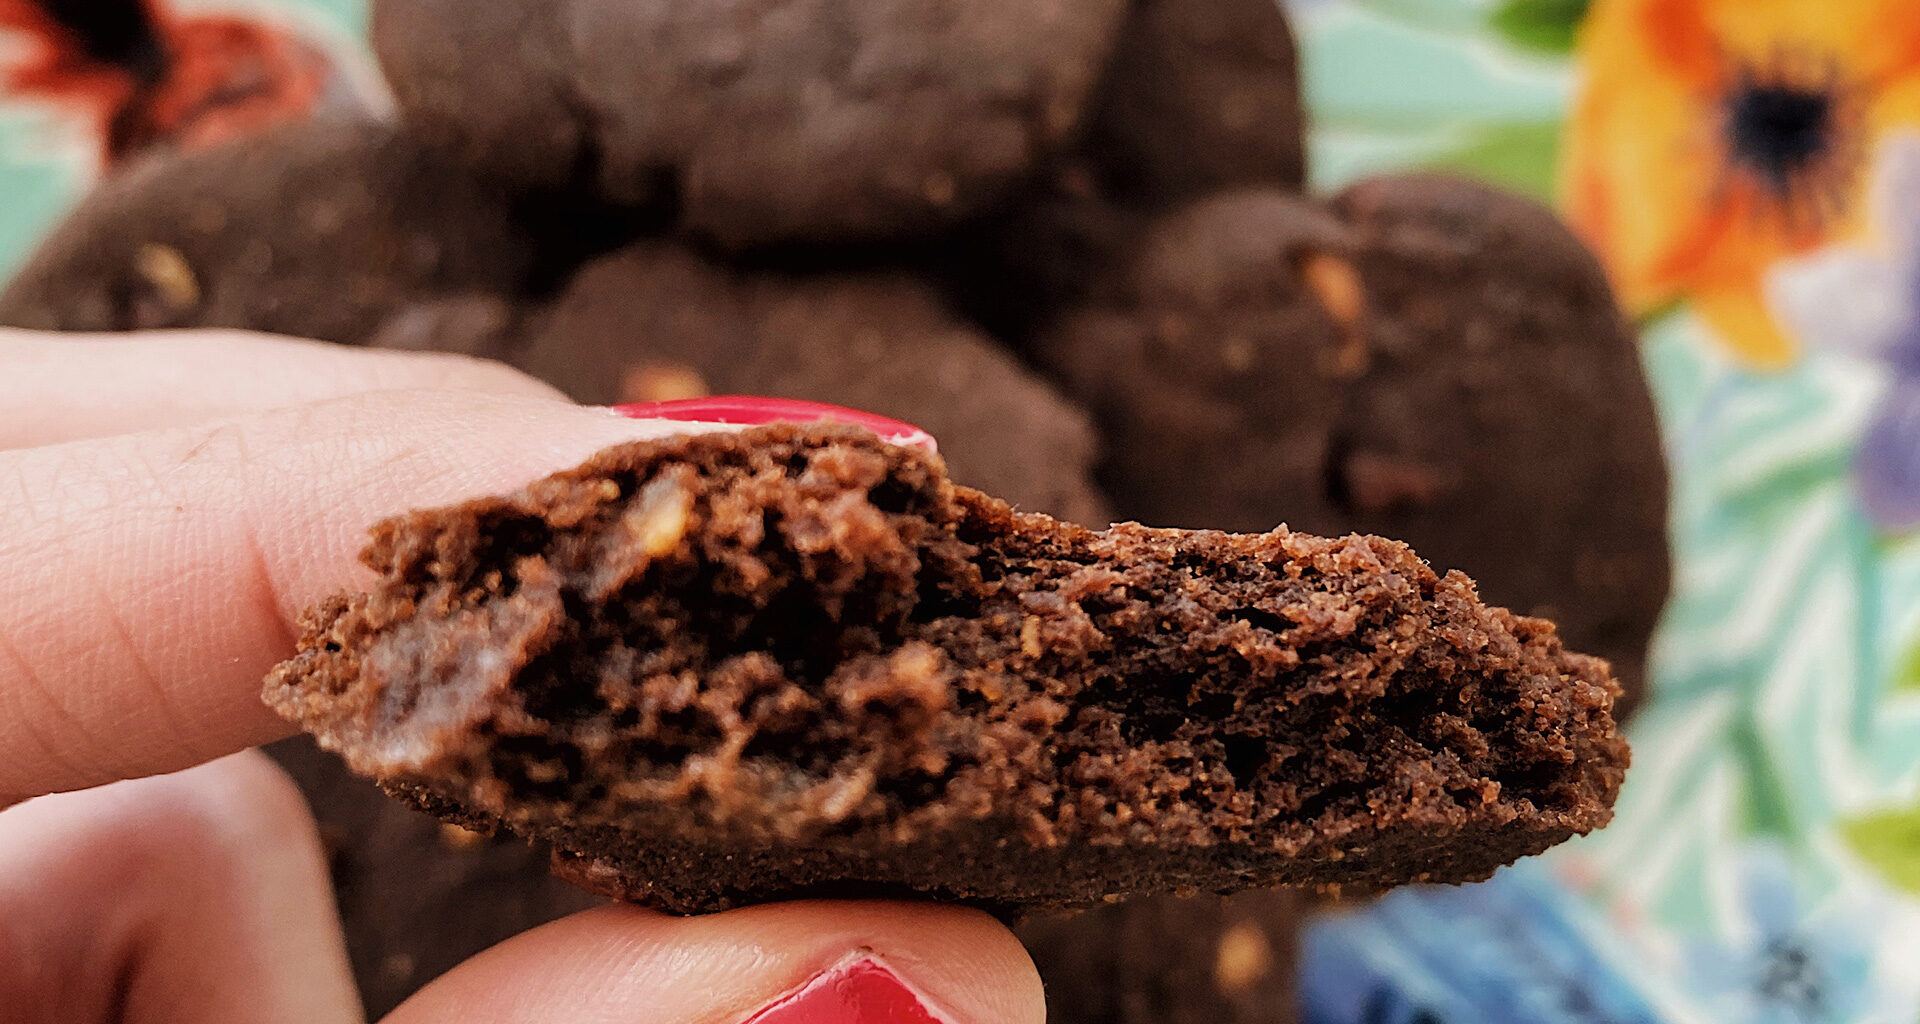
(156, 577)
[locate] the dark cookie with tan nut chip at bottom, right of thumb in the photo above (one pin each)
(1172, 962)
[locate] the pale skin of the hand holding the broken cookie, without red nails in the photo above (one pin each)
(168, 508)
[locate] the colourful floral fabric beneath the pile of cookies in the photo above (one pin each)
(1750, 176)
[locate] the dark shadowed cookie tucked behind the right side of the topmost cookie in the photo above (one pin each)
(1203, 95)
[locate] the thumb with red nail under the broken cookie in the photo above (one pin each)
(786, 963)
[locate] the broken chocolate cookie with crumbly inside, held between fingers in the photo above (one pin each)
(798, 662)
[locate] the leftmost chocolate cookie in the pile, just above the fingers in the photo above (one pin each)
(318, 230)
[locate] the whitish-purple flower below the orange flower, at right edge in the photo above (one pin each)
(1865, 301)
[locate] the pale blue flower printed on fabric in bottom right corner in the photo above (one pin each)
(1787, 965)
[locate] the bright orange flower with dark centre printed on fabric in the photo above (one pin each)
(1716, 137)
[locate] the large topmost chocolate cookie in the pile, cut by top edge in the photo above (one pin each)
(759, 120)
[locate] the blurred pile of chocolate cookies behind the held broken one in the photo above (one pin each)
(1067, 237)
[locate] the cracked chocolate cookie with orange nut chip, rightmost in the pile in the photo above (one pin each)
(1422, 358)
